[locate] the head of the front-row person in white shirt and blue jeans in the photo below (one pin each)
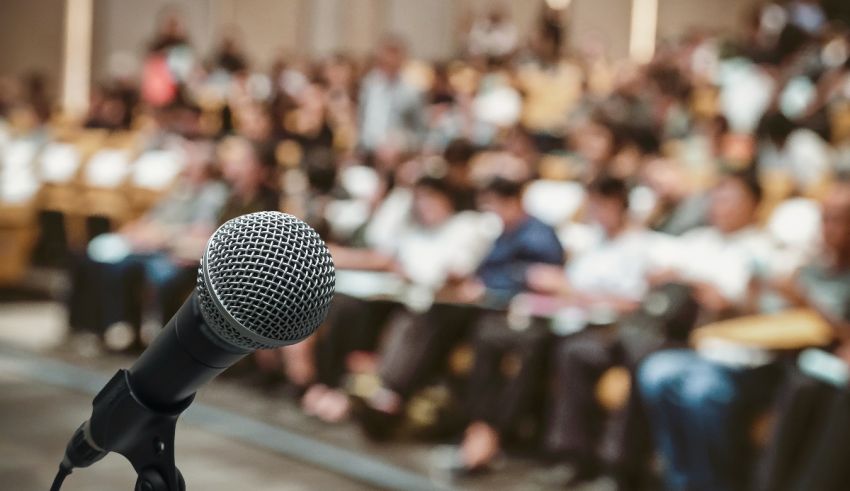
(734, 201)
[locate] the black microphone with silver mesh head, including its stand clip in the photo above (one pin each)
(265, 280)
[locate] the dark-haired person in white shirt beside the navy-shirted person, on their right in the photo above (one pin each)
(609, 275)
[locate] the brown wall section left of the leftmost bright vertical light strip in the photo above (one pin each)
(31, 37)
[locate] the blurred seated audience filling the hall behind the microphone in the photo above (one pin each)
(512, 223)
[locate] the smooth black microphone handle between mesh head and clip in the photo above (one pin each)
(182, 358)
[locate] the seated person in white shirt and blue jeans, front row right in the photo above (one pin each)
(699, 409)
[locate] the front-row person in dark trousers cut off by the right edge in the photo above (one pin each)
(813, 420)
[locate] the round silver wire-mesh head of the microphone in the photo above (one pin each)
(266, 280)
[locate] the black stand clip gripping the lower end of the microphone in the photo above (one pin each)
(145, 436)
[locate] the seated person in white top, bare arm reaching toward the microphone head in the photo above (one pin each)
(430, 244)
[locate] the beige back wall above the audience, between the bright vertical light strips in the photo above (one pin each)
(122, 28)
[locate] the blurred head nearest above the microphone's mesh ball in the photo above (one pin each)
(247, 166)
